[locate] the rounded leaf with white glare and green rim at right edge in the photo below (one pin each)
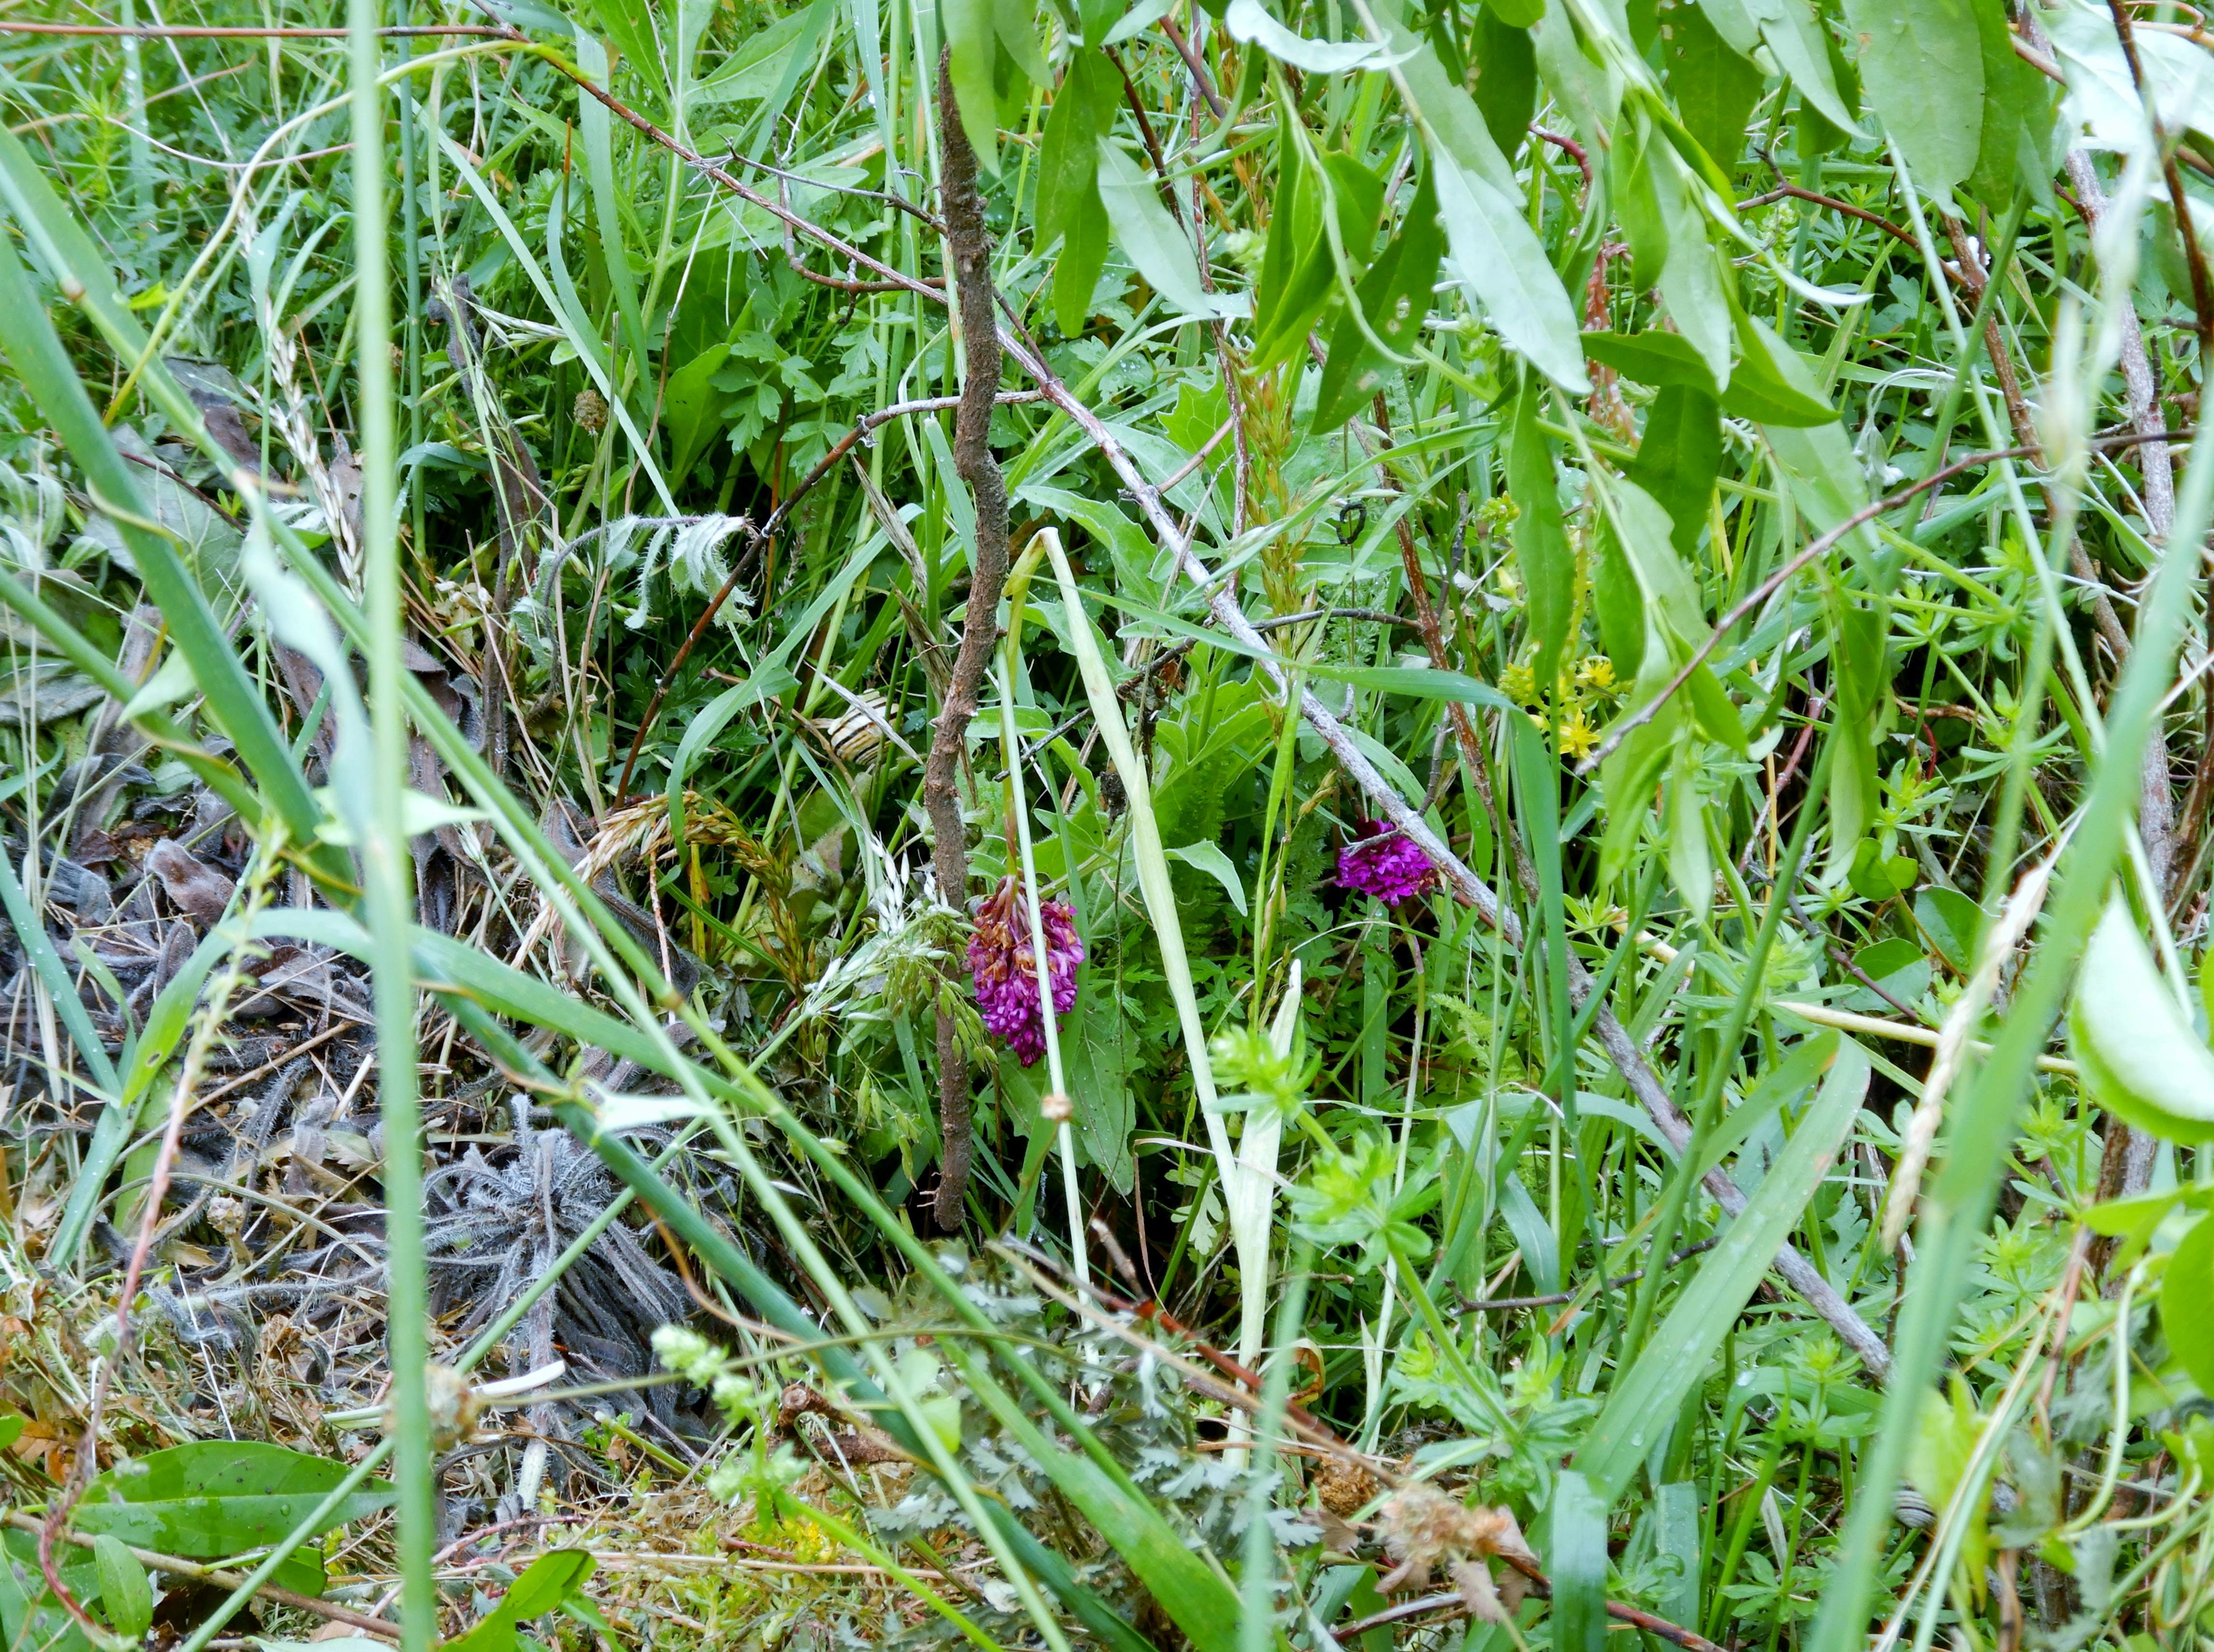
(2140, 1057)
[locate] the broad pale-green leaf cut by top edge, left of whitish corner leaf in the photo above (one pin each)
(1925, 74)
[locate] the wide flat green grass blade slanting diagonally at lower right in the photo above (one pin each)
(1648, 1396)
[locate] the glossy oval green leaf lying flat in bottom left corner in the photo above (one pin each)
(220, 1498)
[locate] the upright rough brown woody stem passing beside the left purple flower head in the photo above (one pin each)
(971, 256)
